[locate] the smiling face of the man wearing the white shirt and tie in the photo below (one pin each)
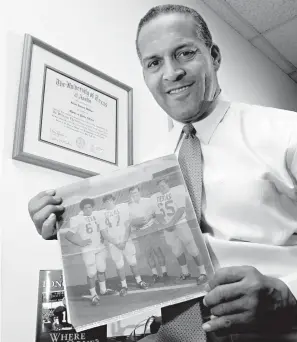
(177, 66)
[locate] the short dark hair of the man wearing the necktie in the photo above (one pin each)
(203, 31)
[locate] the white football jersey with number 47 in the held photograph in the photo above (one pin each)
(114, 221)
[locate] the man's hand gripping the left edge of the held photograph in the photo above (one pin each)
(44, 209)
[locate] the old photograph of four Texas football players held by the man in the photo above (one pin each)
(130, 242)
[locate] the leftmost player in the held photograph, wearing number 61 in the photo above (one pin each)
(85, 233)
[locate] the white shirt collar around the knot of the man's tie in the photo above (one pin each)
(206, 127)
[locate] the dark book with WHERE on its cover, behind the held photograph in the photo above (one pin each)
(53, 323)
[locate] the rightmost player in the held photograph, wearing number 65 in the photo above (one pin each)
(171, 204)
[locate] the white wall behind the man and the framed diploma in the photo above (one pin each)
(100, 33)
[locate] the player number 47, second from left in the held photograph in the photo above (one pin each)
(116, 230)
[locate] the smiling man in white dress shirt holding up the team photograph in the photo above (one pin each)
(249, 176)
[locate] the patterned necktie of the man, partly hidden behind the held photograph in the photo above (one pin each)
(183, 322)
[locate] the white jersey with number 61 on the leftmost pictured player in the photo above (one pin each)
(88, 227)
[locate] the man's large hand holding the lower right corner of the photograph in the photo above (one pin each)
(241, 299)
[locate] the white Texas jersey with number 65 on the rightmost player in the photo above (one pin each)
(169, 203)
